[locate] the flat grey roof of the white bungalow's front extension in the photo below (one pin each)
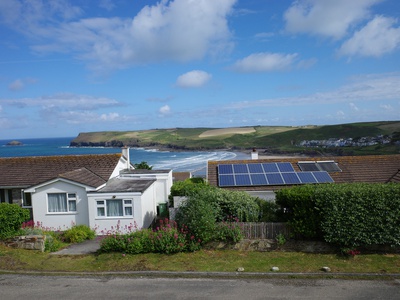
(121, 185)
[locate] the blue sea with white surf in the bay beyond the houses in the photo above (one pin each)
(193, 161)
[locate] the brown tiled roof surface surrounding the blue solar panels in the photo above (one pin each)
(368, 169)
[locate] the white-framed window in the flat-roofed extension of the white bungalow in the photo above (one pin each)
(114, 208)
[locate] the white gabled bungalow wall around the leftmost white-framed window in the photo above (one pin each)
(59, 221)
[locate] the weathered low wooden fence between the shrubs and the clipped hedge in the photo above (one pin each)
(261, 230)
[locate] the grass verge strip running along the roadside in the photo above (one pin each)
(200, 261)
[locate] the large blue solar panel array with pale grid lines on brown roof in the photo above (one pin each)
(281, 173)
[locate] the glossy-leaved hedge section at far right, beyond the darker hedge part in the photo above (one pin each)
(360, 214)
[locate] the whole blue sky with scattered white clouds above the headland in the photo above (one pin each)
(100, 65)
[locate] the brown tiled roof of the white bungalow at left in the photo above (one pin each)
(22, 172)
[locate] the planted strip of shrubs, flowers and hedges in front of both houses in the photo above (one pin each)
(353, 218)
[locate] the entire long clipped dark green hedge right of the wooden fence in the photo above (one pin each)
(348, 215)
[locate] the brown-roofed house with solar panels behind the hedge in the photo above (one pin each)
(261, 177)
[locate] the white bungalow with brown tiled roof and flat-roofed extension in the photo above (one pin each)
(96, 190)
